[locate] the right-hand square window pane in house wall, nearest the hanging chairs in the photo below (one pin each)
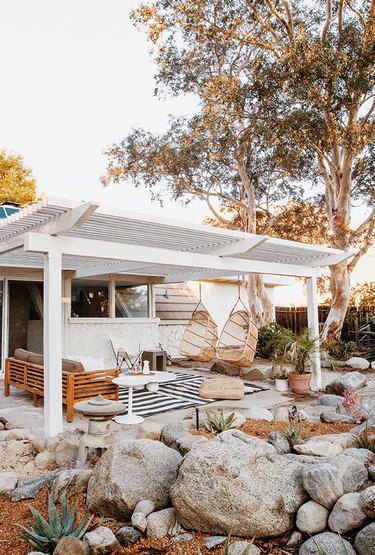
(131, 301)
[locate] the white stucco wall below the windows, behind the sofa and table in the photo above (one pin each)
(91, 337)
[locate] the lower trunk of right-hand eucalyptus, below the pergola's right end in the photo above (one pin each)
(340, 284)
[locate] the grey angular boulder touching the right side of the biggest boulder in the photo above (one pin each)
(323, 484)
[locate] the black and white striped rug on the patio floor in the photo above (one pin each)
(181, 393)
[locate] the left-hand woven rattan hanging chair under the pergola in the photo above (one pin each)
(200, 336)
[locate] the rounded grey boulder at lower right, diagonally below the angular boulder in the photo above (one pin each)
(347, 514)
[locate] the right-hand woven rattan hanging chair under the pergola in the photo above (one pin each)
(238, 339)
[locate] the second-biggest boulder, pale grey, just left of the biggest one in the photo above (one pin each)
(129, 472)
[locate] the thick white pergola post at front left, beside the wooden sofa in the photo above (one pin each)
(53, 415)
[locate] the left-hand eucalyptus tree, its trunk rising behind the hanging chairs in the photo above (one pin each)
(224, 154)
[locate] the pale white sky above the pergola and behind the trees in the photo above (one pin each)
(76, 77)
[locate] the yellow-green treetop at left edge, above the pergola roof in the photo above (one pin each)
(17, 183)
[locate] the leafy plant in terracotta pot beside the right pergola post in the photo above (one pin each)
(299, 350)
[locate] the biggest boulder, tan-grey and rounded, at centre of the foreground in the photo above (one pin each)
(239, 485)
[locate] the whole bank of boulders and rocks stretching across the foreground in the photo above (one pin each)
(170, 482)
